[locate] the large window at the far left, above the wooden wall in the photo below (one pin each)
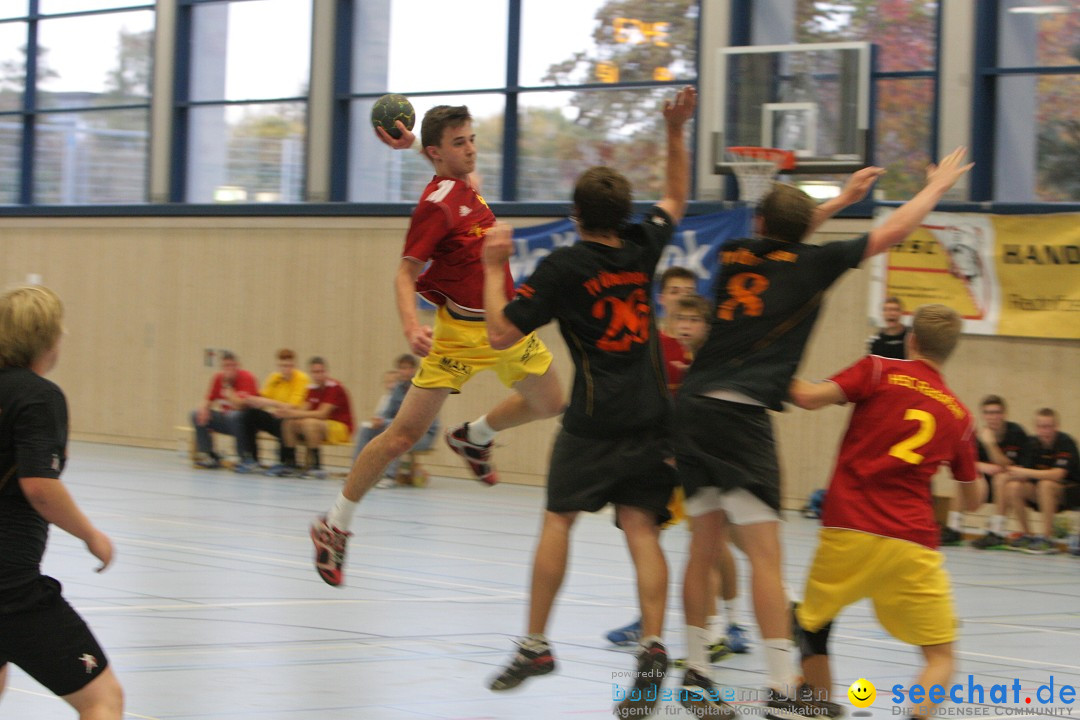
(89, 106)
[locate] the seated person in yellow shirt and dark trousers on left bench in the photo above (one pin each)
(285, 389)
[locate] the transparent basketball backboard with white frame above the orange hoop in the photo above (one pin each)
(813, 100)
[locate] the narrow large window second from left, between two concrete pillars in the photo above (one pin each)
(247, 111)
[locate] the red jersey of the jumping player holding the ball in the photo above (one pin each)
(448, 228)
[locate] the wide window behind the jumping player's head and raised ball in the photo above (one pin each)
(580, 85)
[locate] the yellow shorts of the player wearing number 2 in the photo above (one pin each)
(906, 581)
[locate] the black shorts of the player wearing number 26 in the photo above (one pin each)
(588, 473)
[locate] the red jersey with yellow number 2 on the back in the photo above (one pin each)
(906, 425)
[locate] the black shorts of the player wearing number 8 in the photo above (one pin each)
(726, 445)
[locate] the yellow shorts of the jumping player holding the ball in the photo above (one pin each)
(461, 350)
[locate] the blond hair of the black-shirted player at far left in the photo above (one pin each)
(31, 324)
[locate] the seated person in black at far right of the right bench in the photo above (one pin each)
(1047, 478)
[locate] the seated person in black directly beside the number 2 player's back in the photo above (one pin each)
(998, 443)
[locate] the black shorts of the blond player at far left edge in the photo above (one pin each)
(50, 642)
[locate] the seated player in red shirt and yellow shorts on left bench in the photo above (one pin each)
(327, 418)
